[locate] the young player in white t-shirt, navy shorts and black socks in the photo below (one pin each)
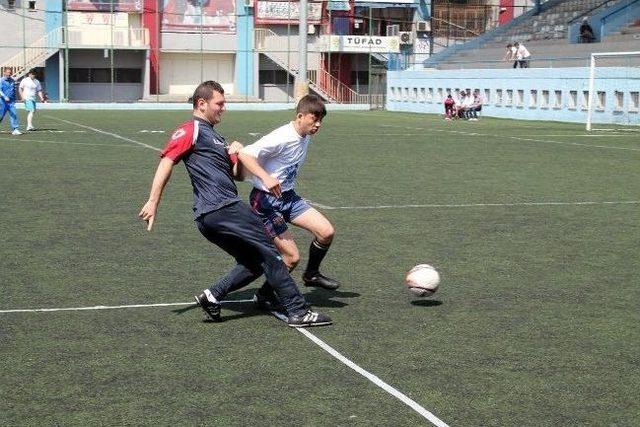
(280, 154)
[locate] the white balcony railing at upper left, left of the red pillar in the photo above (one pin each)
(104, 36)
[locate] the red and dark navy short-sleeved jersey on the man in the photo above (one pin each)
(204, 153)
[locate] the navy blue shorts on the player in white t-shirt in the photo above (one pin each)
(276, 212)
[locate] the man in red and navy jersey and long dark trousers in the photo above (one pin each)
(219, 213)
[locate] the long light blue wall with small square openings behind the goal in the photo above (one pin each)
(557, 94)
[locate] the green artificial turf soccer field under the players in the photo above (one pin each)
(534, 226)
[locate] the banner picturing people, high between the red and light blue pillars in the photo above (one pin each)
(190, 16)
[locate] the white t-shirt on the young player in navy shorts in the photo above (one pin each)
(281, 153)
